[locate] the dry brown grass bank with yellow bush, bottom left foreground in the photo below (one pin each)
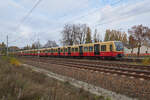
(19, 83)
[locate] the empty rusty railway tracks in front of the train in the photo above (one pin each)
(141, 72)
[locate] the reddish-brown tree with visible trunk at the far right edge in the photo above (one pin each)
(140, 34)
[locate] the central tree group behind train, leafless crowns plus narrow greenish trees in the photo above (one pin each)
(74, 34)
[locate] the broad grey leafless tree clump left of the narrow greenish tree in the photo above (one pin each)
(74, 34)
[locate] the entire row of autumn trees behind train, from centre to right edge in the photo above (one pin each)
(73, 34)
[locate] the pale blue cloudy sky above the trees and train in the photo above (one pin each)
(48, 18)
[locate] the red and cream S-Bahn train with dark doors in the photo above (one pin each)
(110, 49)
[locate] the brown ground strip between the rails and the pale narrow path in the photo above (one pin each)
(124, 85)
